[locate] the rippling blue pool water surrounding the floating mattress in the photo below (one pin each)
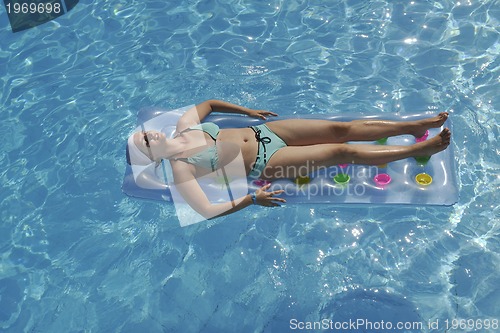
(76, 255)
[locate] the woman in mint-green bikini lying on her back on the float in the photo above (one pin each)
(277, 149)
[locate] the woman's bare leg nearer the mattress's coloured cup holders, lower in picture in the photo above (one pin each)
(293, 161)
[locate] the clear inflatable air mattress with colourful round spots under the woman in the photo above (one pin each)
(410, 181)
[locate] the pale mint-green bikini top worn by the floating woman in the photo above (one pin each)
(206, 158)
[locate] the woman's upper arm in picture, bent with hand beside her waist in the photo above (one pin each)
(196, 115)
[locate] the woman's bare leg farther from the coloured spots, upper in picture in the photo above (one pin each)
(303, 132)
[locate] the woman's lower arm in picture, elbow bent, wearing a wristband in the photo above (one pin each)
(190, 189)
